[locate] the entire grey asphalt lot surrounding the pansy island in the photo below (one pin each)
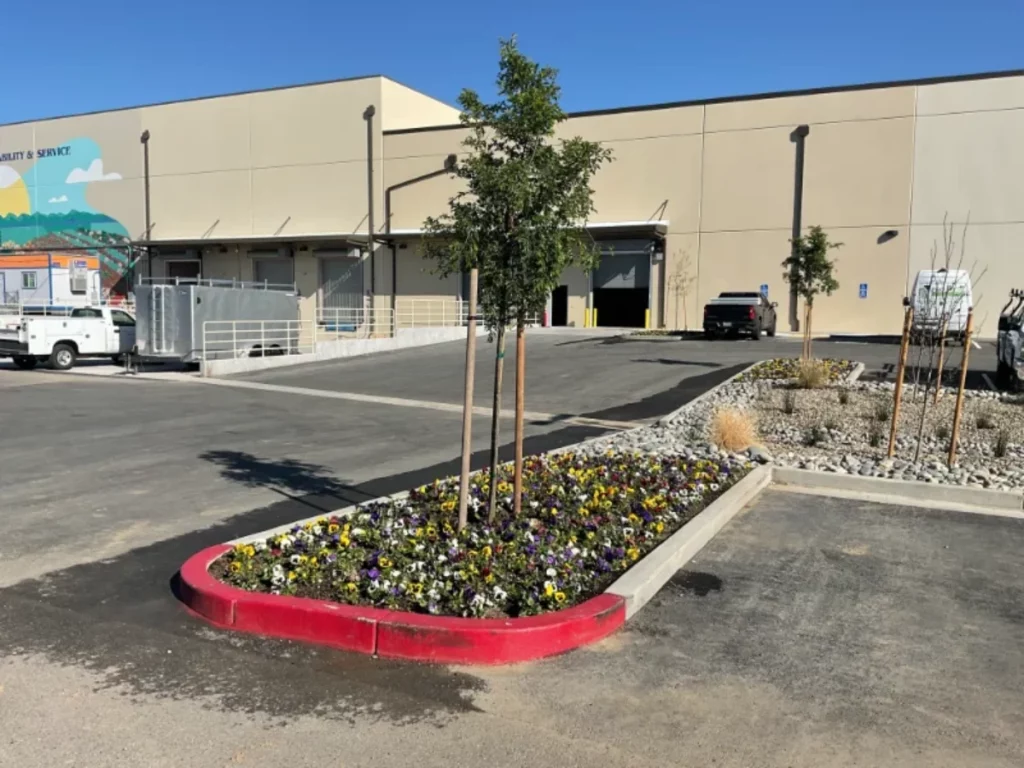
(812, 632)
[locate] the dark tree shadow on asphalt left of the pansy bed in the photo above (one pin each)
(312, 485)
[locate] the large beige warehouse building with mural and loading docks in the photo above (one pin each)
(700, 198)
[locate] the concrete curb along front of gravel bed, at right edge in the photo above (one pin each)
(906, 492)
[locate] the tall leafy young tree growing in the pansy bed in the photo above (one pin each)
(522, 215)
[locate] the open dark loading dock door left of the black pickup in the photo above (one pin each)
(622, 283)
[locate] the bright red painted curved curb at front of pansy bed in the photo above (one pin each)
(395, 634)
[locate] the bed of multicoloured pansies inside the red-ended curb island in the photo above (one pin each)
(587, 520)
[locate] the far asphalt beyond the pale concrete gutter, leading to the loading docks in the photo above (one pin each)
(574, 373)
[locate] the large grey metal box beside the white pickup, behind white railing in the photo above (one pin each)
(172, 315)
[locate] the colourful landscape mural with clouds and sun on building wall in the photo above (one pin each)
(46, 208)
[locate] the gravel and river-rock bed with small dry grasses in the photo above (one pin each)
(825, 435)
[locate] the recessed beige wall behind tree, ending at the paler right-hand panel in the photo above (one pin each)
(722, 177)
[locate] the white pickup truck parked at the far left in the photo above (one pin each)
(62, 339)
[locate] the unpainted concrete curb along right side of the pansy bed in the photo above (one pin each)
(645, 580)
